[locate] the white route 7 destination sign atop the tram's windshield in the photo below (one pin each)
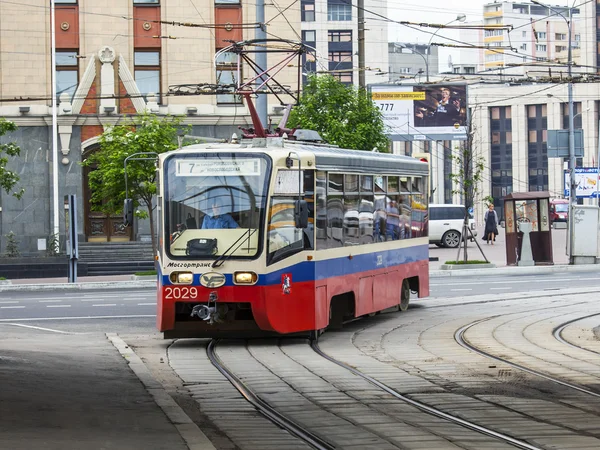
(217, 167)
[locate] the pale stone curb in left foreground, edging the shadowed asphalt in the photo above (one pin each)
(193, 436)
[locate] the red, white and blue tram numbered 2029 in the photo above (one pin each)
(286, 236)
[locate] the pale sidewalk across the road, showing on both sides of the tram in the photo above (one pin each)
(496, 254)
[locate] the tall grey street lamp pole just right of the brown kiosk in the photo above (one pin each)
(573, 186)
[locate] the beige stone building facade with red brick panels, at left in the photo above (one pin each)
(113, 59)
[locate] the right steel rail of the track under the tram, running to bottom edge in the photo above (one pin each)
(426, 408)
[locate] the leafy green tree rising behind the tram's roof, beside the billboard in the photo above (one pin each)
(343, 115)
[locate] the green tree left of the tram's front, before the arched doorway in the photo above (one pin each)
(139, 134)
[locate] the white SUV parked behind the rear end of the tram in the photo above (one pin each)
(445, 225)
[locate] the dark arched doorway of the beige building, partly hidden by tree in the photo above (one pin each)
(98, 226)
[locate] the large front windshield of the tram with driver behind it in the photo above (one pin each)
(215, 204)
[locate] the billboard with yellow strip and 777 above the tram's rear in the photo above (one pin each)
(423, 112)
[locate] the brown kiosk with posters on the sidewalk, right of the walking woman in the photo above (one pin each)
(528, 212)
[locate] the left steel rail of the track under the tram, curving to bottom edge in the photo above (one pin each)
(263, 407)
